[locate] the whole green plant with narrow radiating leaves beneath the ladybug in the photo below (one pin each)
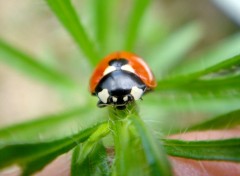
(213, 89)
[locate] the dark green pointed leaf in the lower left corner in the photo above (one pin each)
(34, 156)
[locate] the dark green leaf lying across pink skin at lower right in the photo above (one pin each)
(226, 150)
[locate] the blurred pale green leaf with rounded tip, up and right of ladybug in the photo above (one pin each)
(168, 53)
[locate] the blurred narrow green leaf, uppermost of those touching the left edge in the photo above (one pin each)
(32, 66)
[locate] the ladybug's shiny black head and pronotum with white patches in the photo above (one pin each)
(118, 88)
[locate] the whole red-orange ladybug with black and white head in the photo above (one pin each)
(120, 78)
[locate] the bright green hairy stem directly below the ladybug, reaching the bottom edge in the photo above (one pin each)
(137, 151)
